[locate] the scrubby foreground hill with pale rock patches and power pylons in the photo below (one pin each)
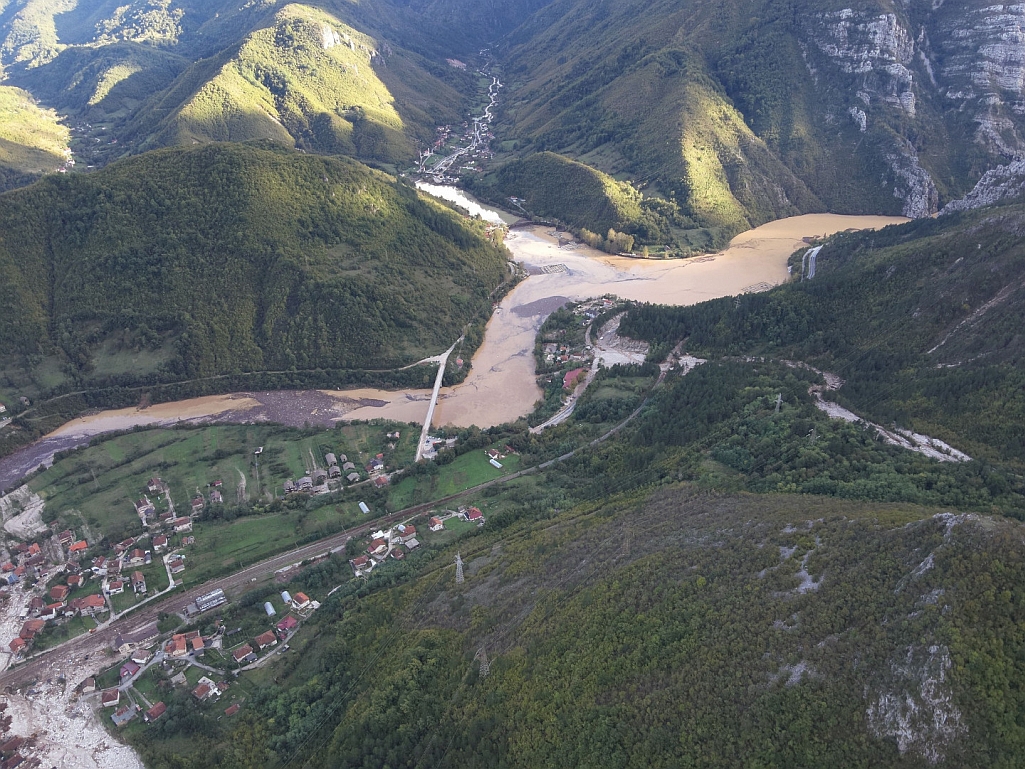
(669, 630)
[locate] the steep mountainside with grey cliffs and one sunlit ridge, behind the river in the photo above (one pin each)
(751, 110)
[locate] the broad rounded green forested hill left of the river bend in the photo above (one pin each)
(234, 258)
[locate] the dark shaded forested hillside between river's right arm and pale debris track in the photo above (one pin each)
(923, 321)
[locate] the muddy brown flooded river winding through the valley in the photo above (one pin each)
(501, 387)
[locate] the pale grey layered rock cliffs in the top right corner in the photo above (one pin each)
(965, 59)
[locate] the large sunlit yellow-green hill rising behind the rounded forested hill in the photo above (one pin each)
(308, 79)
